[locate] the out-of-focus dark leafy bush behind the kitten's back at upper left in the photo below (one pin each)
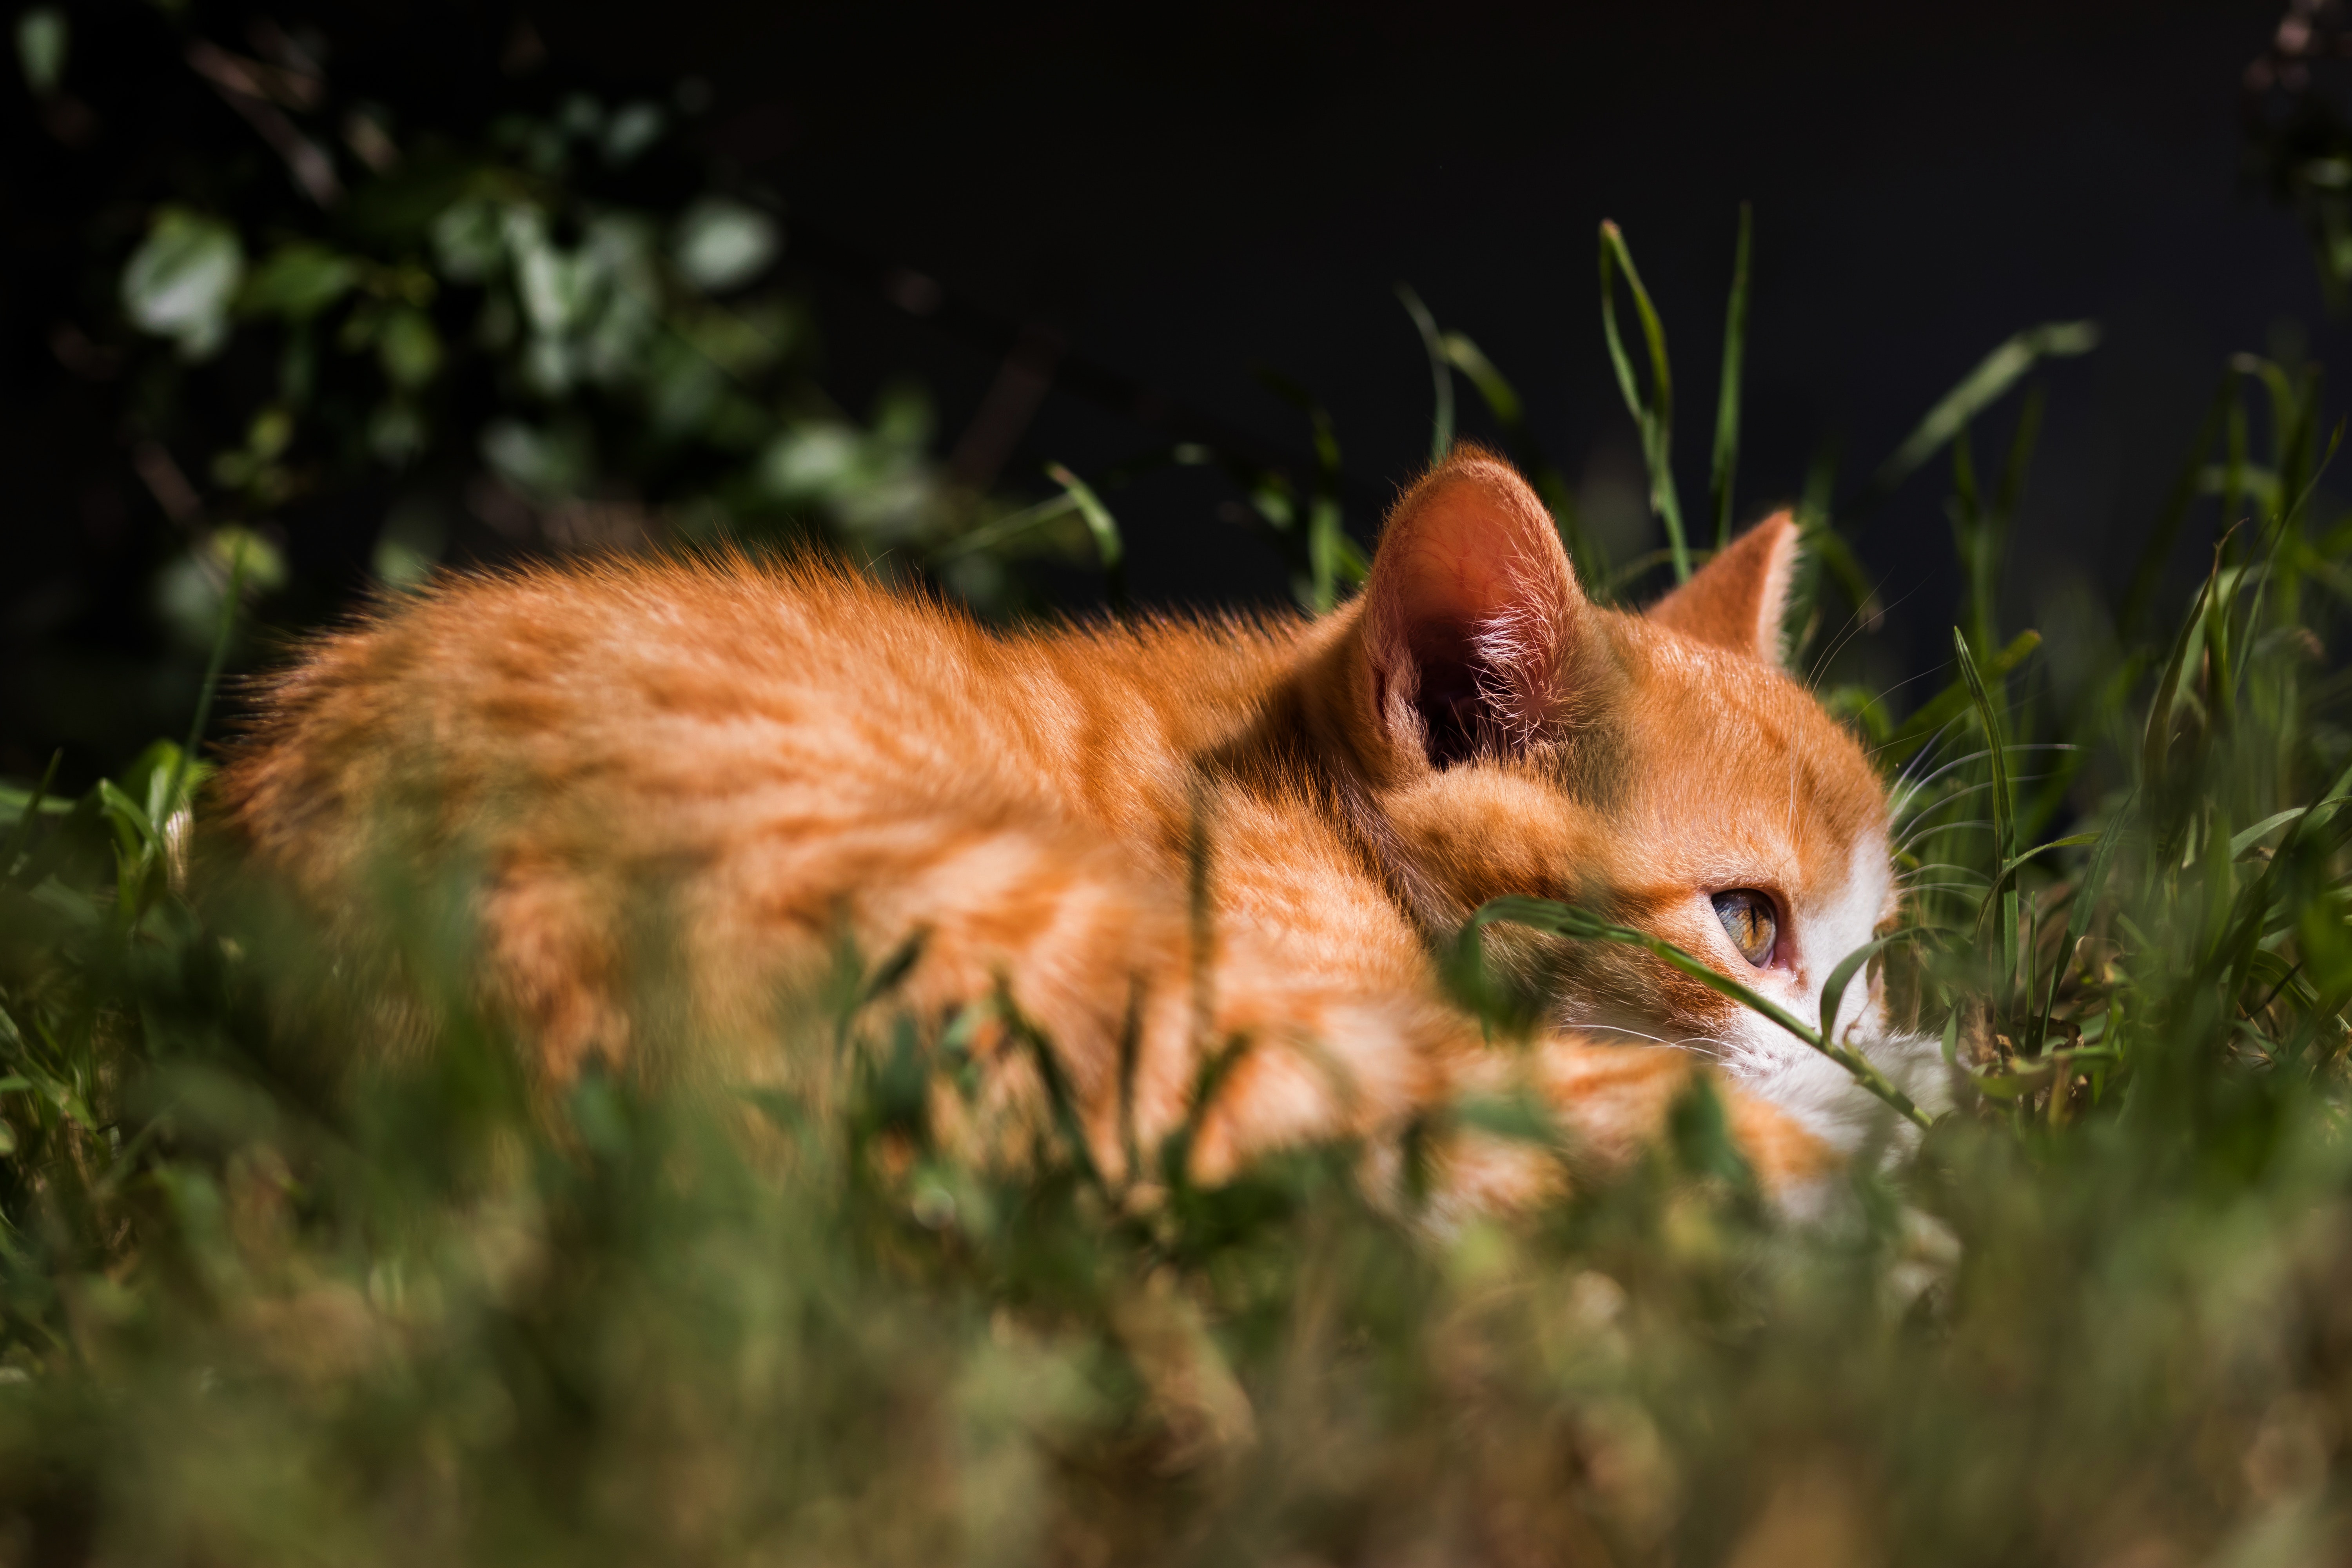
(368, 311)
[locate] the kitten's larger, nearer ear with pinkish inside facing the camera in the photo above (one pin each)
(1471, 615)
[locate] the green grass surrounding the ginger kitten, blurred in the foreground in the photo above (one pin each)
(2104, 1313)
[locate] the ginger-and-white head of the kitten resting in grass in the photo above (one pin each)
(1662, 770)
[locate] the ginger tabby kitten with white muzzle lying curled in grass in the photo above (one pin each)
(780, 756)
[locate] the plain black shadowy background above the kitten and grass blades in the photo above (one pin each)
(1161, 201)
